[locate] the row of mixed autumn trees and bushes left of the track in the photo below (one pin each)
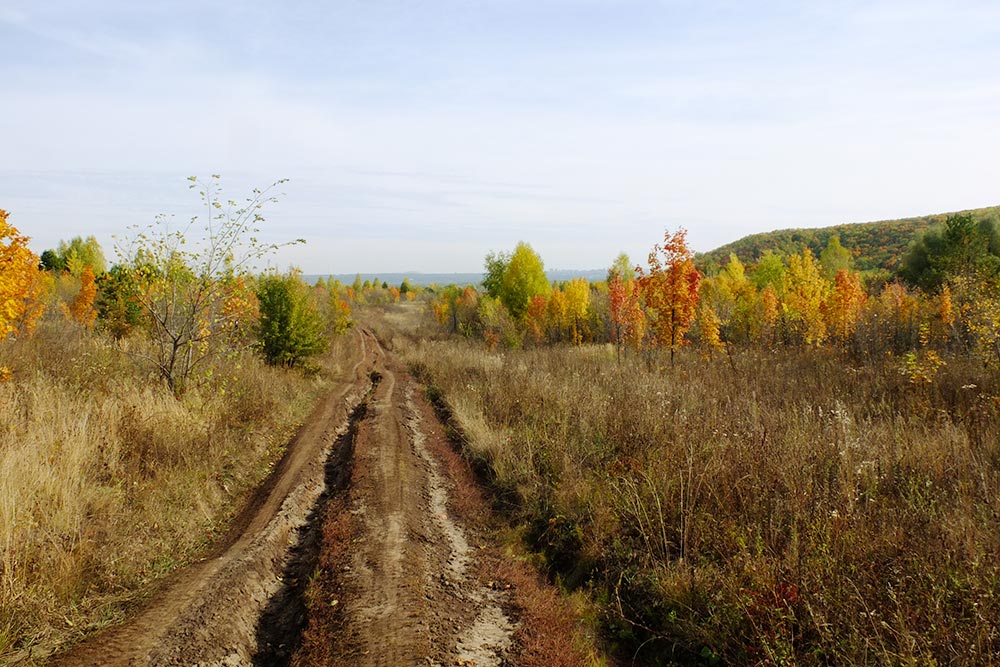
(188, 292)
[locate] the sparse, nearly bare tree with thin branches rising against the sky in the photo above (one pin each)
(181, 278)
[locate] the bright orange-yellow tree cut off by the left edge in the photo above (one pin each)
(21, 284)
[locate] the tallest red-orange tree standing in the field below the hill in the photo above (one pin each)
(670, 289)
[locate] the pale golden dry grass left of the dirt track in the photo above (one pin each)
(108, 483)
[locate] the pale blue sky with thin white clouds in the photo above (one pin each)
(420, 135)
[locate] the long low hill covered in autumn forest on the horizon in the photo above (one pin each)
(876, 245)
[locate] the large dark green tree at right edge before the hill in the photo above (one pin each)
(961, 247)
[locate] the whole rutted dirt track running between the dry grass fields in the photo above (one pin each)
(409, 585)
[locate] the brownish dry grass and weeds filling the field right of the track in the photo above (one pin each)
(792, 509)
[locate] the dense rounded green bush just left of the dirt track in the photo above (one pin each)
(290, 328)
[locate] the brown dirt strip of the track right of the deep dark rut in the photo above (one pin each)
(409, 591)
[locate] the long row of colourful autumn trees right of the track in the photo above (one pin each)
(944, 296)
